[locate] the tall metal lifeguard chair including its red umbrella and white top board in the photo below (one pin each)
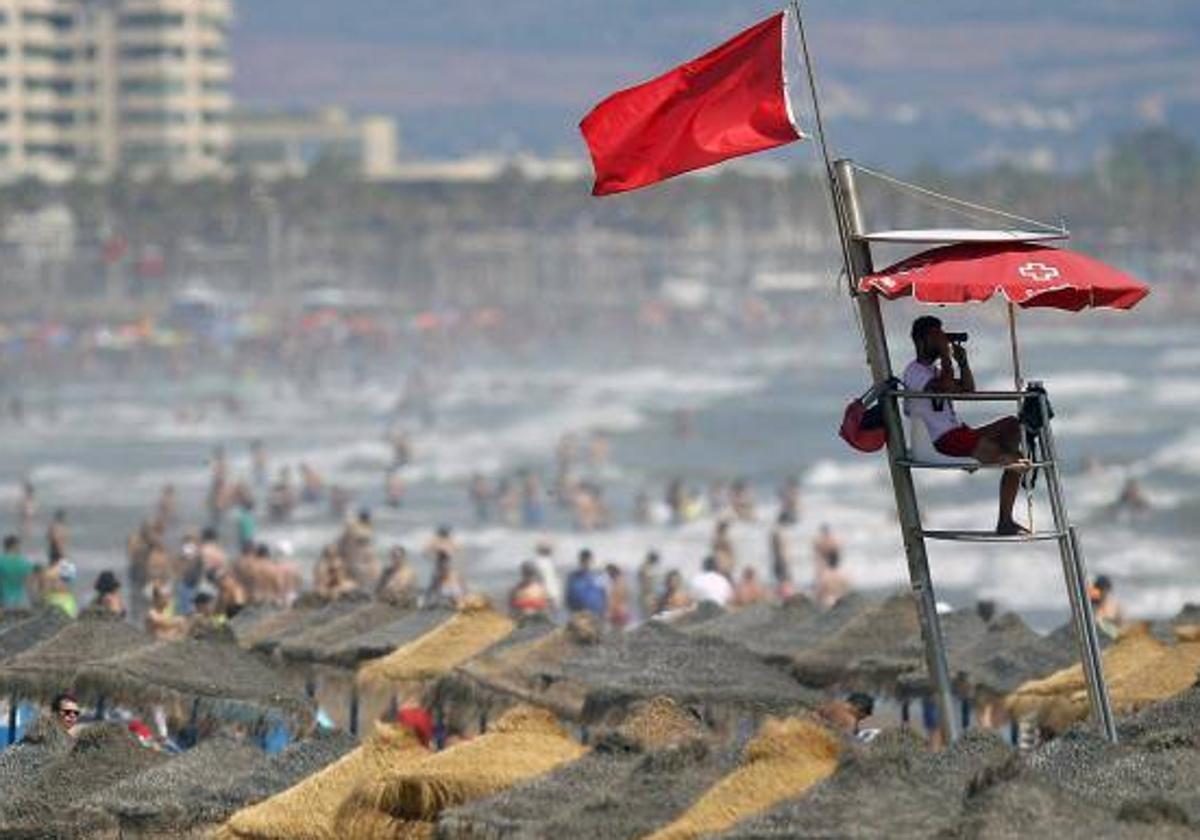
(974, 266)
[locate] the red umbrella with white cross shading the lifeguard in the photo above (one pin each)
(1028, 275)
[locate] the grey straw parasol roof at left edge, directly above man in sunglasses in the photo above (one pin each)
(53, 664)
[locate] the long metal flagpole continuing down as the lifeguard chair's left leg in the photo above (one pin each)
(857, 256)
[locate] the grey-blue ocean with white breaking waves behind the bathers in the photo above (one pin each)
(1126, 392)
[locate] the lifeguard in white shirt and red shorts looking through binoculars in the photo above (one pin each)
(999, 442)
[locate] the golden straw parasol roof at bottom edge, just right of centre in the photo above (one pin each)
(784, 760)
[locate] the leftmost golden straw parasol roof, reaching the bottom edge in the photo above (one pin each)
(307, 811)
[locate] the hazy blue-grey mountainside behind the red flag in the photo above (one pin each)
(903, 81)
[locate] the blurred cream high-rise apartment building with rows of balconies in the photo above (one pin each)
(95, 87)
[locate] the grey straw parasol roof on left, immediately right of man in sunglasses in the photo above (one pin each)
(209, 679)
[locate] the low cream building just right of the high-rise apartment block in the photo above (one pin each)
(290, 143)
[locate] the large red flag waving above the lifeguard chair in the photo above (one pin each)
(727, 104)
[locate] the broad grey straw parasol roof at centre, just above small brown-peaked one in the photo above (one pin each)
(657, 659)
